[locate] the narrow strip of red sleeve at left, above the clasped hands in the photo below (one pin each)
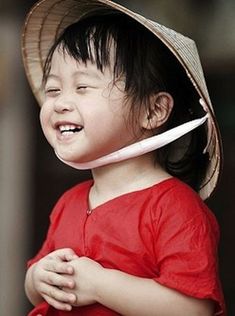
(48, 244)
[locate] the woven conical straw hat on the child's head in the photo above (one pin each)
(48, 18)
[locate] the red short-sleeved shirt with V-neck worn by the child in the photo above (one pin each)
(164, 232)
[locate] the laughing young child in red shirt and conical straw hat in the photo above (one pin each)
(126, 97)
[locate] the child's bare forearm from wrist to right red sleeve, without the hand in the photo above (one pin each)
(135, 296)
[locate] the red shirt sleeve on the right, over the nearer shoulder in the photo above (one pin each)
(186, 247)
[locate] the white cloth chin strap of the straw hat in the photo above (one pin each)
(140, 148)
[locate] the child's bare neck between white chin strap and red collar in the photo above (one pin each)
(127, 176)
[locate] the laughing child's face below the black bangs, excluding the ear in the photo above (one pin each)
(84, 115)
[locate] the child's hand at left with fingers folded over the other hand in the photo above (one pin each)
(47, 276)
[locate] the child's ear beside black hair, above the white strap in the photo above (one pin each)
(161, 105)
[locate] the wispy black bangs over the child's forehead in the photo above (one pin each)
(91, 39)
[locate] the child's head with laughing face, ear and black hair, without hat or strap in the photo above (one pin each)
(84, 116)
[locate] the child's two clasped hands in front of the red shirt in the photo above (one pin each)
(64, 280)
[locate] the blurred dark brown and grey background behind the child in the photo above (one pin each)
(31, 178)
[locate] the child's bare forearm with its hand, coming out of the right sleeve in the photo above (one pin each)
(130, 295)
